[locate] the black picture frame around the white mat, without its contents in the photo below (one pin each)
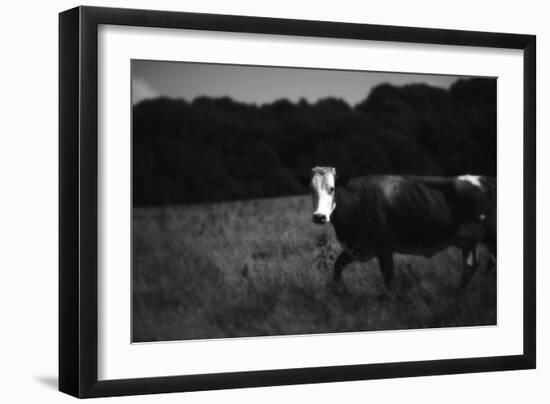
(78, 201)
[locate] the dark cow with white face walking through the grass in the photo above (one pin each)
(379, 215)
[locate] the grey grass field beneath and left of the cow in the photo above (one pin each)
(261, 267)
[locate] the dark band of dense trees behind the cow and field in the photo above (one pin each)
(215, 149)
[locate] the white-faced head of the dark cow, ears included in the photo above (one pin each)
(323, 182)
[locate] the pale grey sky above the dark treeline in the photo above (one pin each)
(253, 84)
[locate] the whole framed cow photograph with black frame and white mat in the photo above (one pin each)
(251, 201)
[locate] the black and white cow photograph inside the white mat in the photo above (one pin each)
(270, 201)
